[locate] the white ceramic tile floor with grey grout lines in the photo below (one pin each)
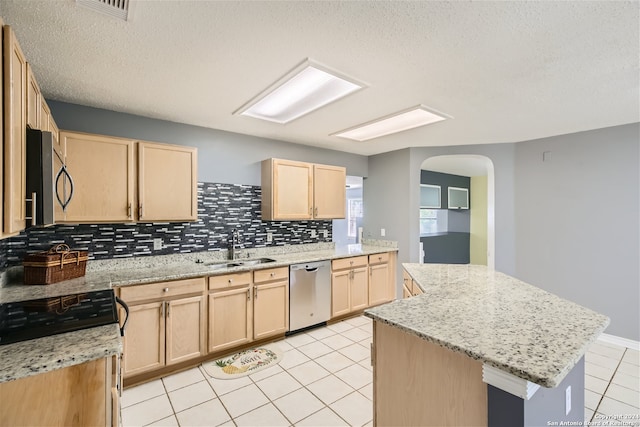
(325, 379)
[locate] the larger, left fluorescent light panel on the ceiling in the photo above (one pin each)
(307, 88)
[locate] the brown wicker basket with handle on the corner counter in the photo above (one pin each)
(57, 264)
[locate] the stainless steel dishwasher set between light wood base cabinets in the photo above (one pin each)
(309, 294)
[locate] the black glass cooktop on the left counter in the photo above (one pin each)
(25, 320)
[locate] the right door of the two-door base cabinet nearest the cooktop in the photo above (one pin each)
(185, 327)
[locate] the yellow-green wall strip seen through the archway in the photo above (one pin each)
(478, 223)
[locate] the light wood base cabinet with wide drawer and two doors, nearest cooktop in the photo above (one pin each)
(167, 324)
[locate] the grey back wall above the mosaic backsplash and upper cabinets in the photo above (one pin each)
(223, 157)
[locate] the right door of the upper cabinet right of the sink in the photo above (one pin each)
(329, 192)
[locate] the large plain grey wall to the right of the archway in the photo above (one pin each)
(578, 220)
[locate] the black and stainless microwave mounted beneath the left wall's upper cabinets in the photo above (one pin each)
(48, 180)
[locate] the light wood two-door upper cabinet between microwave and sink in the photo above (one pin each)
(106, 177)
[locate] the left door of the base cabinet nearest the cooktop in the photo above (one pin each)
(144, 340)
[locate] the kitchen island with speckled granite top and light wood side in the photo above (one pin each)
(479, 347)
